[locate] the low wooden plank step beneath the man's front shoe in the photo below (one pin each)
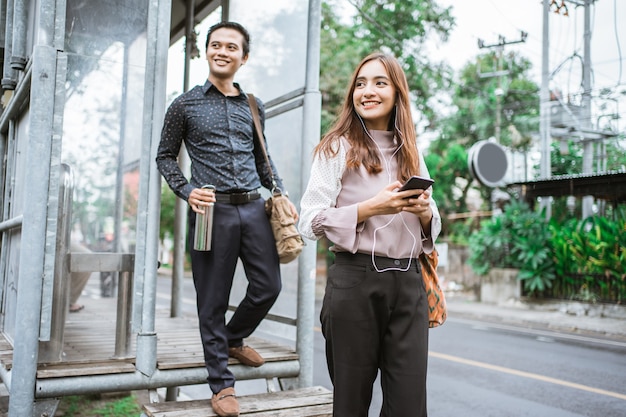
(302, 402)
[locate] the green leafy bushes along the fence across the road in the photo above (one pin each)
(579, 259)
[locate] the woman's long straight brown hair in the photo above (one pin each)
(349, 126)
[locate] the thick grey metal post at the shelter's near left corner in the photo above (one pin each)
(26, 343)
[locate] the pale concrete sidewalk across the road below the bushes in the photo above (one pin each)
(589, 319)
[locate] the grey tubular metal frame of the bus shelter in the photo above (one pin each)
(38, 333)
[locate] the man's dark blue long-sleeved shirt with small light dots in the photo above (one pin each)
(218, 132)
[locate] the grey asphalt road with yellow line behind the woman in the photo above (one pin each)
(483, 369)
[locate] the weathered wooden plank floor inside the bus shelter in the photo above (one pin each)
(89, 345)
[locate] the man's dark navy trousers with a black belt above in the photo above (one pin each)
(240, 231)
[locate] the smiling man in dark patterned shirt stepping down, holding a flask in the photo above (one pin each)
(216, 125)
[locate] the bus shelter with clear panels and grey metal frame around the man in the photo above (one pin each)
(83, 99)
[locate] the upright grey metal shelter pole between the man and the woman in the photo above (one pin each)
(307, 260)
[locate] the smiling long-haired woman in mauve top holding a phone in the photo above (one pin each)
(374, 313)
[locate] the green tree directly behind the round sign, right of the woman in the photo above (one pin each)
(472, 117)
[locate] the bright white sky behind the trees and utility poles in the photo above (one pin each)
(489, 19)
